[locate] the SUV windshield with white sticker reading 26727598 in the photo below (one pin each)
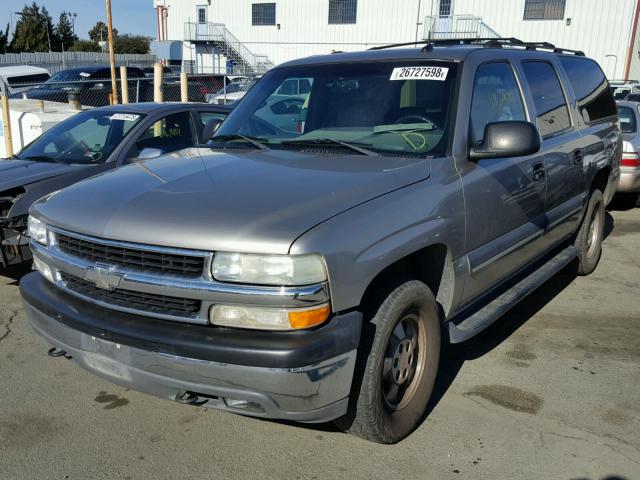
(391, 108)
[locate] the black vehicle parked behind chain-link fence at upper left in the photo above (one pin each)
(91, 84)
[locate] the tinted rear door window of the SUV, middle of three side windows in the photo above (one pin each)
(551, 106)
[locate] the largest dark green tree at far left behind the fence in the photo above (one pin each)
(34, 30)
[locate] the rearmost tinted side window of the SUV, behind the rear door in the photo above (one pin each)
(591, 88)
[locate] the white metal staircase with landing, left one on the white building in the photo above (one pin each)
(225, 43)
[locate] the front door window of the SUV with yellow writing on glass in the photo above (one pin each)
(496, 98)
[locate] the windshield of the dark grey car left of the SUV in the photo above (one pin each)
(87, 138)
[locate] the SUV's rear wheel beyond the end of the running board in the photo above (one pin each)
(589, 238)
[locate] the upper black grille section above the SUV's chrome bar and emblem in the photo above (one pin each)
(133, 258)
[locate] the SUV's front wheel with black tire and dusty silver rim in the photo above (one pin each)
(398, 373)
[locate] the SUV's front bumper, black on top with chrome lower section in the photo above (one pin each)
(302, 376)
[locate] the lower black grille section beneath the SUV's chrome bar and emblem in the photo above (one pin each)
(145, 302)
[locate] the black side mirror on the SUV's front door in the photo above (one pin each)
(507, 139)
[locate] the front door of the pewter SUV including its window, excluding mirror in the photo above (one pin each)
(504, 197)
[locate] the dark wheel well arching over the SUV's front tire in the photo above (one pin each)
(431, 265)
